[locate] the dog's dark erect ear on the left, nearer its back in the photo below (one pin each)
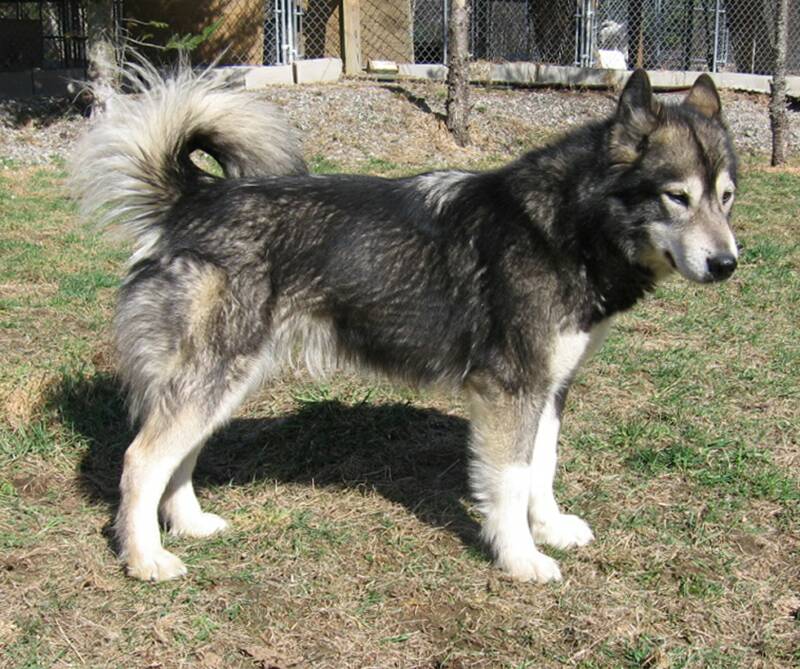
(636, 118)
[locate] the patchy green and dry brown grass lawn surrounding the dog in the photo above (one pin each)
(354, 542)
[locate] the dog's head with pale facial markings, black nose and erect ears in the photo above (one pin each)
(676, 180)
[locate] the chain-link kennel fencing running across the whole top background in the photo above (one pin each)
(714, 35)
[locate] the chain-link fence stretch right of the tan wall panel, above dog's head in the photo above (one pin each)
(714, 35)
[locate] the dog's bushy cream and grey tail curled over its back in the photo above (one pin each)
(134, 162)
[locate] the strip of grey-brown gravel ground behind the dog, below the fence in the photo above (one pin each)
(359, 125)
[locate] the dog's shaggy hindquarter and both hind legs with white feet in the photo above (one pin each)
(188, 366)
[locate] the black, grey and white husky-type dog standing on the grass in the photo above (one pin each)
(499, 283)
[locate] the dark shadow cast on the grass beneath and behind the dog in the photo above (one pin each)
(412, 456)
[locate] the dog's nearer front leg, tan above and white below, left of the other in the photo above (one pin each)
(503, 432)
